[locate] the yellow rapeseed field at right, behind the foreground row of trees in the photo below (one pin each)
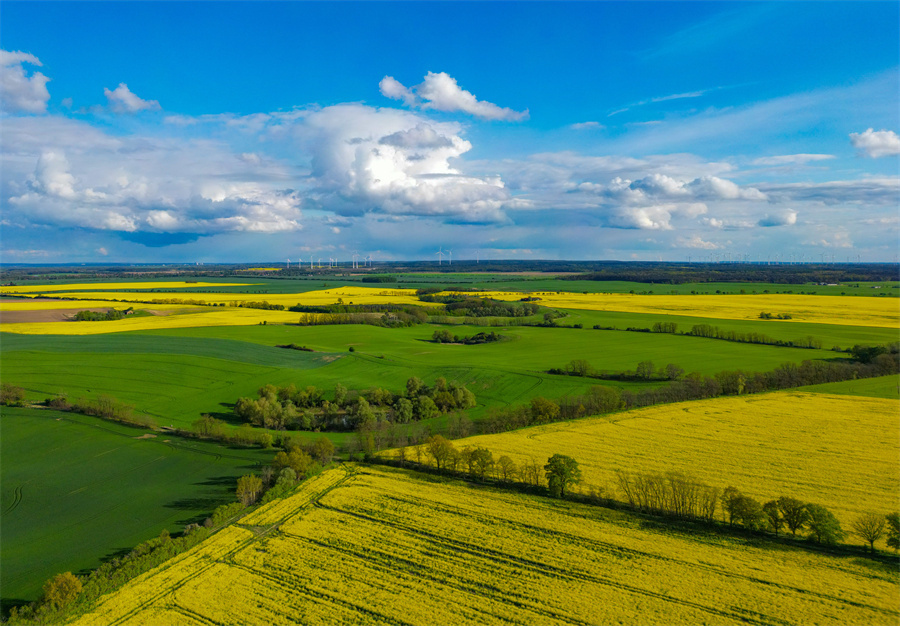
(838, 451)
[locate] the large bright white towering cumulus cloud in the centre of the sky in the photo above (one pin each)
(398, 163)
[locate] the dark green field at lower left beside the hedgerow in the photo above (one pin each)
(76, 489)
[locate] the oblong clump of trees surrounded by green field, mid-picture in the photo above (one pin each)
(308, 409)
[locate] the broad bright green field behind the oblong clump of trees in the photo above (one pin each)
(177, 375)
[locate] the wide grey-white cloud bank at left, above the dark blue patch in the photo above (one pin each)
(141, 185)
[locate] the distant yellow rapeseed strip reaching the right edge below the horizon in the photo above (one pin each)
(842, 310)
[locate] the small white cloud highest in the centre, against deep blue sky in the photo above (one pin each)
(440, 92)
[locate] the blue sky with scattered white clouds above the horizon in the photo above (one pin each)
(210, 132)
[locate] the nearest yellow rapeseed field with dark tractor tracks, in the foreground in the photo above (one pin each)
(380, 547)
